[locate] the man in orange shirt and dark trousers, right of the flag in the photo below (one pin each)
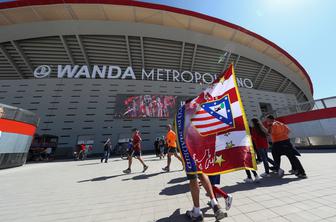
(282, 146)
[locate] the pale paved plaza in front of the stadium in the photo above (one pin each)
(90, 191)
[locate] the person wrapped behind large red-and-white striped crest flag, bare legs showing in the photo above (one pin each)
(213, 137)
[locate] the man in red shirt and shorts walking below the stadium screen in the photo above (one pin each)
(135, 152)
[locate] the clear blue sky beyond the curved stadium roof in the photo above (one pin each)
(306, 29)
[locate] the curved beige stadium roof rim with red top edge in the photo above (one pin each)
(23, 12)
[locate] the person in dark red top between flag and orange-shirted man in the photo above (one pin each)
(259, 138)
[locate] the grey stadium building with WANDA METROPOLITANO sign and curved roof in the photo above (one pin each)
(96, 69)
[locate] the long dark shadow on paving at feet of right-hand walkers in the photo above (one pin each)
(266, 182)
